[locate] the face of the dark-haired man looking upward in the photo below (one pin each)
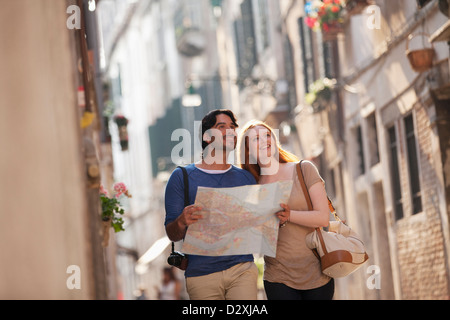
(222, 134)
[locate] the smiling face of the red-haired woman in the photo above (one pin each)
(262, 145)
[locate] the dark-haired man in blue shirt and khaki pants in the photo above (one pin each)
(225, 277)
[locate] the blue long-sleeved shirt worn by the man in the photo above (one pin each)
(174, 202)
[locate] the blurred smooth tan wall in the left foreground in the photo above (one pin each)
(42, 193)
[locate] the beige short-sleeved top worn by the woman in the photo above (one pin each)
(295, 265)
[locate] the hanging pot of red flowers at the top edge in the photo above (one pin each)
(325, 16)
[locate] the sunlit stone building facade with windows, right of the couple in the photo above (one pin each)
(381, 141)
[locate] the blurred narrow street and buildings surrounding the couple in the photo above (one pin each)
(92, 90)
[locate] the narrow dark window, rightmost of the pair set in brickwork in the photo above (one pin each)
(413, 165)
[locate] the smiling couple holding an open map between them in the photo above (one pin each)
(235, 212)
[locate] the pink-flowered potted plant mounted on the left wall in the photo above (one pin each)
(112, 210)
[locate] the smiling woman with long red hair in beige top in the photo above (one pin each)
(295, 273)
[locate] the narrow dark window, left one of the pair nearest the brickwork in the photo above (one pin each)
(395, 174)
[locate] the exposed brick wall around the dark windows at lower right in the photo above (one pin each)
(421, 250)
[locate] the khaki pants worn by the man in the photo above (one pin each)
(235, 283)
